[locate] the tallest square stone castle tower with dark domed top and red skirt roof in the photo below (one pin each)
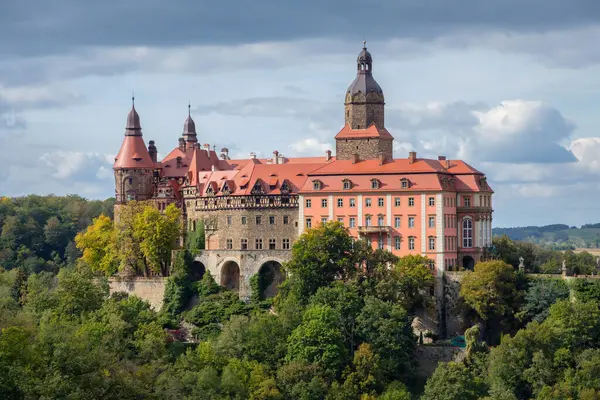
(364, 136)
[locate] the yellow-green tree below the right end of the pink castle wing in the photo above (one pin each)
(491, 290)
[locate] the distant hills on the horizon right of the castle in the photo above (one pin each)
(556, 235)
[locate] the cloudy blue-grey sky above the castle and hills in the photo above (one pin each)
(512, 87)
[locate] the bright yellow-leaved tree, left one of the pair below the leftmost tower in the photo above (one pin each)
(97, 243)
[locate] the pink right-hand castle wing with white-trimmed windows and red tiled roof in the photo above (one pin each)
(437, 208)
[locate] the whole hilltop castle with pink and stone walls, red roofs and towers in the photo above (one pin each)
(253, 209)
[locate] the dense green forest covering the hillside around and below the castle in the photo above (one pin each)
(339, 327)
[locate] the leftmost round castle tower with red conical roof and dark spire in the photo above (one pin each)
(134, 165)
